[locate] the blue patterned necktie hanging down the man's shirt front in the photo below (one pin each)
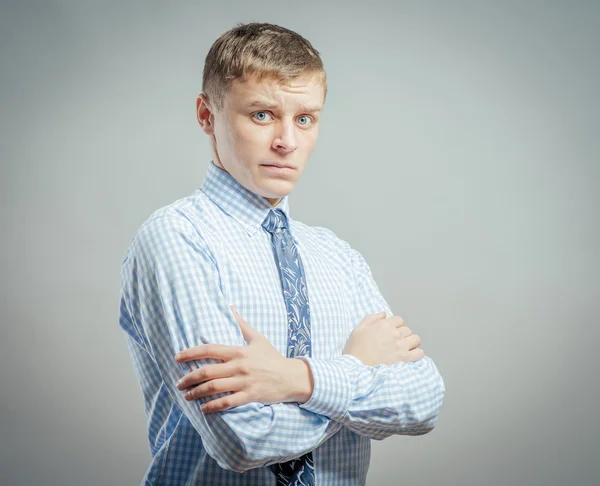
(301, 471)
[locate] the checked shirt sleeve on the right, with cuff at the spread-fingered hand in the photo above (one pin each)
(404, 398)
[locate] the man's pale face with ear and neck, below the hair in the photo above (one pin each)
(265, 132)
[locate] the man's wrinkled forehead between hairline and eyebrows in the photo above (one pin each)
(252, 91)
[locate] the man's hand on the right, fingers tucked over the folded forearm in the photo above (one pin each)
(380, 340)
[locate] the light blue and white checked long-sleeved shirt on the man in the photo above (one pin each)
(191, 260)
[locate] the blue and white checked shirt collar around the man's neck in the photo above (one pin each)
(247, 208)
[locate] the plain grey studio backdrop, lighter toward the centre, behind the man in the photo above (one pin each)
(458, 152)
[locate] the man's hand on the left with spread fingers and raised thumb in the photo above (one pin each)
(254, 373)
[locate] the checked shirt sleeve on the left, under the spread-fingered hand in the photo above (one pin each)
(171, 286)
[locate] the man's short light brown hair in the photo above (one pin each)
(262, 50)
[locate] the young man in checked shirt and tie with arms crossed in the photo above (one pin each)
(293, 391)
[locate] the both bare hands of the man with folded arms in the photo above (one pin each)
(258, 373)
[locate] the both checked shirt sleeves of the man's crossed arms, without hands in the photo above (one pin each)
(173, 301)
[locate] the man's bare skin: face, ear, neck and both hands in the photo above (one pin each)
(261, 124)
